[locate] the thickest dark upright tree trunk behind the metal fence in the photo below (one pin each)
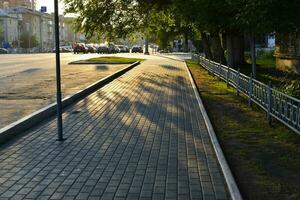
(235, 49)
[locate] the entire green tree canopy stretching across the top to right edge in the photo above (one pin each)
(158, 19)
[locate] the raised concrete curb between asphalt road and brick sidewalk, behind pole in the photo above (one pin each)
(28, 122)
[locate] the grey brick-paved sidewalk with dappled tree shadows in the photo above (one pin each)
(140, 137)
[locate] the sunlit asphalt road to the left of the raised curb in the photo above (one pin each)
(27, 81)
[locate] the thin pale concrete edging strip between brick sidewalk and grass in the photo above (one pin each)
(231, 184)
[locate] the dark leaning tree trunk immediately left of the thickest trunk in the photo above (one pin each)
(217, 49)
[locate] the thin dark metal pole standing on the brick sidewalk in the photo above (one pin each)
(58, 79)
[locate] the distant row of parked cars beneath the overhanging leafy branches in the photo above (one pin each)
(109, 48)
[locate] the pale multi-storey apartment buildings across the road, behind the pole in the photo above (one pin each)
(20, 24)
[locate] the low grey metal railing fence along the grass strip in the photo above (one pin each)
(276, 104)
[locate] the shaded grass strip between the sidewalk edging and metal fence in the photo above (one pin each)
(264, 159)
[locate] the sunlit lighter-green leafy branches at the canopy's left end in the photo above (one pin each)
(113, 19)
